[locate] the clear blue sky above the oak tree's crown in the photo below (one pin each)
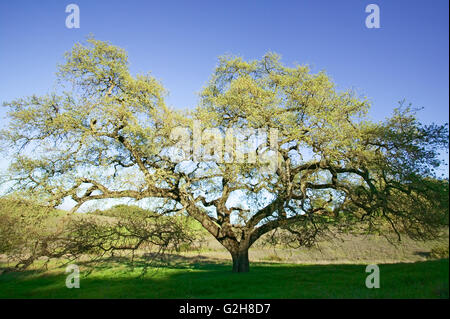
(179, 42)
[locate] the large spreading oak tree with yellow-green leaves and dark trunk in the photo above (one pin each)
(316, 161)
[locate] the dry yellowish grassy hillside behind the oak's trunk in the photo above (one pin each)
(343, 249)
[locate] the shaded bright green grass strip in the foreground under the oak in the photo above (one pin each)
(207, 280)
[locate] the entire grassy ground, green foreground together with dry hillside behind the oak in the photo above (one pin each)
(332, 269)
